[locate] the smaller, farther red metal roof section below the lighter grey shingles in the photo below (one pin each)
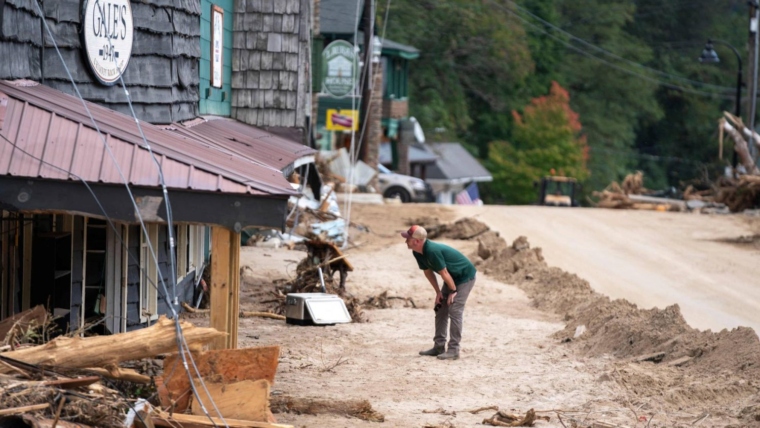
(250, 141)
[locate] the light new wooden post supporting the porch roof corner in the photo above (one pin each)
(225, 285)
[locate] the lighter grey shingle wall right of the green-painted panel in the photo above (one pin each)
(270, 45)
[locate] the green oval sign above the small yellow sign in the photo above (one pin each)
(339, 68)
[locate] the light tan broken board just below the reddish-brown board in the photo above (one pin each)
(247, 400)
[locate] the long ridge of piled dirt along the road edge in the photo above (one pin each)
(599, 326)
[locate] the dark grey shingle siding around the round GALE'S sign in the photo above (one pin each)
(162, 76)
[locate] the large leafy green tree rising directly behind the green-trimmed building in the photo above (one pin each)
(471, 53)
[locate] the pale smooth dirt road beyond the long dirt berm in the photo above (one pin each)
(652, 259)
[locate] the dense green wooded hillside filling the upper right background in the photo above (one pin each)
(630, 67)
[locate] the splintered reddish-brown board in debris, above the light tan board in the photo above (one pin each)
(222, 366)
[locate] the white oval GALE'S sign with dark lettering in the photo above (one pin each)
(108, 31)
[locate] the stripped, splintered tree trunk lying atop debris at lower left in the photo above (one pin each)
(99, 351)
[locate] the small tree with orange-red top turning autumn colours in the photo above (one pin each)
(547, 136)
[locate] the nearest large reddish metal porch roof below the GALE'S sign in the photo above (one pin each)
(40, 127)
